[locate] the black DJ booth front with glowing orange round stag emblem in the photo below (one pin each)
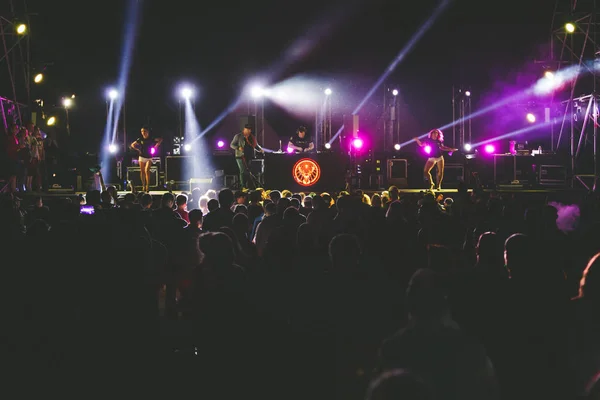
(306, 172)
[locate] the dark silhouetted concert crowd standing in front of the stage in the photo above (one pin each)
(284, 295)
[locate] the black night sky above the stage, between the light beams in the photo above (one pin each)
(220, 45)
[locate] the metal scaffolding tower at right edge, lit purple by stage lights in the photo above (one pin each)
(579, 105)
